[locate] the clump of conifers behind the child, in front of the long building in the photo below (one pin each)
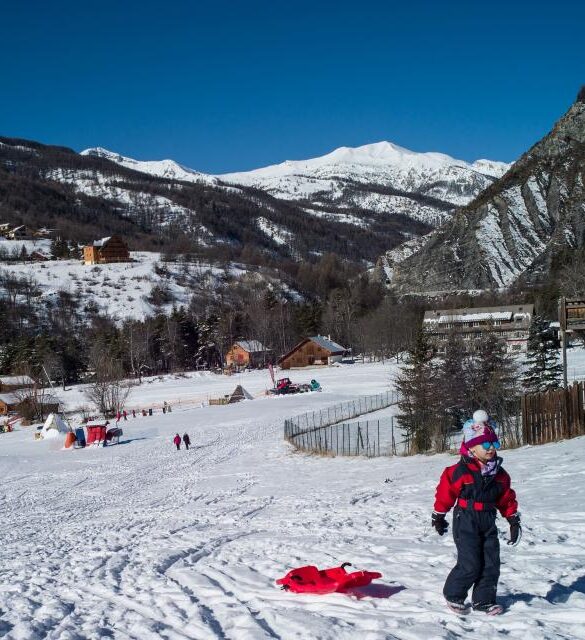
(441, 389)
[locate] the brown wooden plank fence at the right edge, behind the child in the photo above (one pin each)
(553, 415)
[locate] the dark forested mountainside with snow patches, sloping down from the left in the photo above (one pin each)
(162, 204)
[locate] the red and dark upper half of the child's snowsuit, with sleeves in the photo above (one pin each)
(464, 481)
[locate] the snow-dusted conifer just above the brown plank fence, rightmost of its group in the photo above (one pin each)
(543, 369)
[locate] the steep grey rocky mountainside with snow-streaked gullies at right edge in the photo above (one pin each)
(517, 228)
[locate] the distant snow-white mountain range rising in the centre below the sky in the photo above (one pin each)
(353, 185)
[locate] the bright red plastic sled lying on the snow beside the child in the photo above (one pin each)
(312, 580)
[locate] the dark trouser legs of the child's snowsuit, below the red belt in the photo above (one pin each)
(478, 556)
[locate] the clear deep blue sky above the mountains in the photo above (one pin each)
(229, 86)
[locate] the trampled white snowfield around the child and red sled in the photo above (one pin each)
(139, 541)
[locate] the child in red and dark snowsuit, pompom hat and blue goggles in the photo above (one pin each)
(477, 486)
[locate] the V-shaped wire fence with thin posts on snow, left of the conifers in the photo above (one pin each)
(328, 432)
